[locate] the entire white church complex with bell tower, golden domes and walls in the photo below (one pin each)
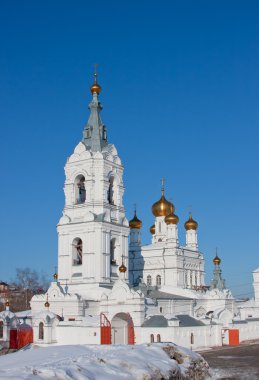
(111, 289)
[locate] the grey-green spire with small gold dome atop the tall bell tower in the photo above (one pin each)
(94, 133)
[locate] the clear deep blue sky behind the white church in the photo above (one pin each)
(180, 96)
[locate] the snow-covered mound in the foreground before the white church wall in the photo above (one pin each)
(100, 362)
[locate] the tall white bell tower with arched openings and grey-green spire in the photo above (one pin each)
(93, 230)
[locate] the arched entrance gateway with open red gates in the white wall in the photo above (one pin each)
(122, 329)
